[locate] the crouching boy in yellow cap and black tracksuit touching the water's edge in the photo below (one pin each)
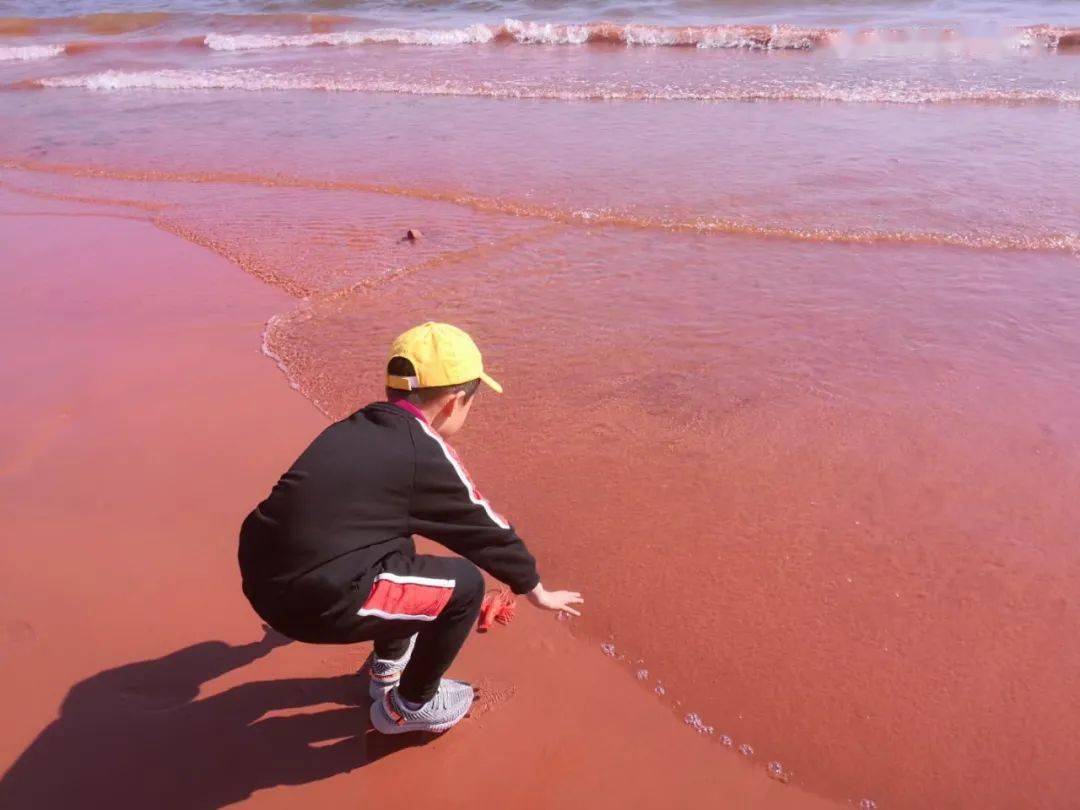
(329, 557)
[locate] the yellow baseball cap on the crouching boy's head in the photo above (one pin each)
(441, 355)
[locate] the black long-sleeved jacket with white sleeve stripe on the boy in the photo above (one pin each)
(359, 493)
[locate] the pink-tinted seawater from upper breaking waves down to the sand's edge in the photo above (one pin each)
(791, 383)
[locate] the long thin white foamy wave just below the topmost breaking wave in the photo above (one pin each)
(871, 92)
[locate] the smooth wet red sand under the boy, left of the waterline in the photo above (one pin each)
(139, 426)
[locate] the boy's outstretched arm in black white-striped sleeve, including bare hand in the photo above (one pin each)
(448, 508)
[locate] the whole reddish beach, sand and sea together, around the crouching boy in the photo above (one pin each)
(786, 302)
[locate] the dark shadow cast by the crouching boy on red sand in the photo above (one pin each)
(138, 736)
